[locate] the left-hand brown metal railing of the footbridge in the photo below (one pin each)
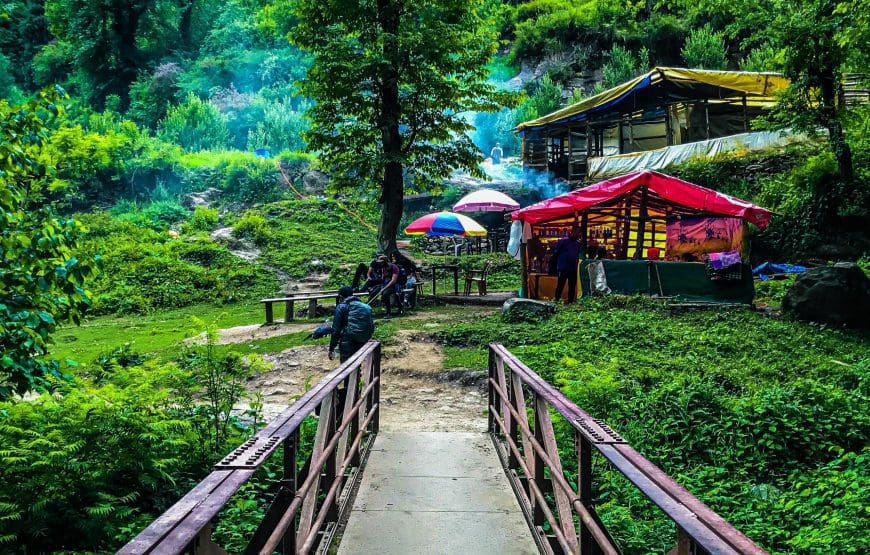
(309, 502)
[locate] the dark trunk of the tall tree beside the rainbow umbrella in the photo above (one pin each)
(392, 188)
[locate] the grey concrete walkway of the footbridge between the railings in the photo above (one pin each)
(427, 493)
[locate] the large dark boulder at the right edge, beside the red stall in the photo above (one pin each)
(838, 295)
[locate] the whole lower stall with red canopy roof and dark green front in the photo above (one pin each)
(636, 219)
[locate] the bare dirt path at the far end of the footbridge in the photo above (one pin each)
(417, 392)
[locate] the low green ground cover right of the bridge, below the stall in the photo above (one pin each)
(770, 441)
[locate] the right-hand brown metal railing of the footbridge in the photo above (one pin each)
(531, 457)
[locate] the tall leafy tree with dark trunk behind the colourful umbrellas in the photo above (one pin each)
(391, 80)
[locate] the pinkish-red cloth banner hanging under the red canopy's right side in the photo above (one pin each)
(690, 238)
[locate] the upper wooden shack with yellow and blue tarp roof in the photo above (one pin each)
(658, 110)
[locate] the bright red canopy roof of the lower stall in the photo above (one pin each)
(661, 191)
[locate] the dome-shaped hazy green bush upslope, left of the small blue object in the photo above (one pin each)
(195, 125)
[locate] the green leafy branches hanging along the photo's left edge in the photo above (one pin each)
(42, 281)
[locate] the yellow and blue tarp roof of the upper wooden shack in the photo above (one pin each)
(756, 86)
